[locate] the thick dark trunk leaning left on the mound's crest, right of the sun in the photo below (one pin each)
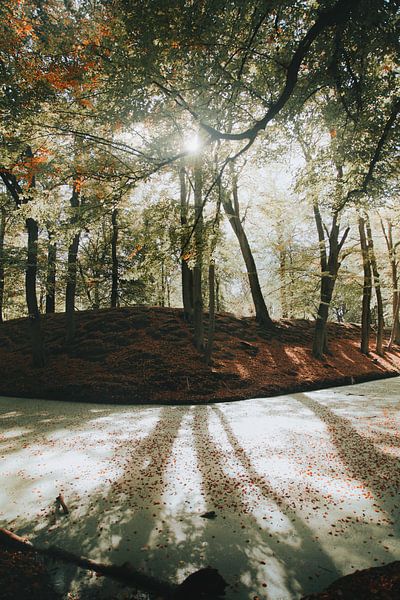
(233, 214)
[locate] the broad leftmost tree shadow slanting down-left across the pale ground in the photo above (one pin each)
(114, 516)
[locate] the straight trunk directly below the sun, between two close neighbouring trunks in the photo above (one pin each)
(198, 239)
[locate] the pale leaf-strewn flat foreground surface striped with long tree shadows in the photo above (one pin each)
(305, 487)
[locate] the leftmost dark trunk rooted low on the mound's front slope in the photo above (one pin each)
(31, 297)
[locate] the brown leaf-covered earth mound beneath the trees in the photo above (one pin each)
(144, 355)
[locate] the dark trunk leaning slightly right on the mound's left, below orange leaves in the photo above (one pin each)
(71, 271)
